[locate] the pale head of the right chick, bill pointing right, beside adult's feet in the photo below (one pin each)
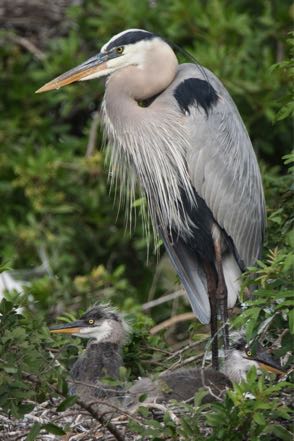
(242, 357)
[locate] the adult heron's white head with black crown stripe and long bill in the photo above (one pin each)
(133, 47)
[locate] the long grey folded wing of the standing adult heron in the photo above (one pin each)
(223, 166)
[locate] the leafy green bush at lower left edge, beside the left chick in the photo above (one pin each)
(27, 367)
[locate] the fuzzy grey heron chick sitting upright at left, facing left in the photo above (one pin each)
(107, 332)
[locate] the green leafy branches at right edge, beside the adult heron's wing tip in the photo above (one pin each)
(269, 312)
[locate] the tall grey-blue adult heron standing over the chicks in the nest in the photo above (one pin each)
(176, 128)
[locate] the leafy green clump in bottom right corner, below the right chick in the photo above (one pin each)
(248, 410)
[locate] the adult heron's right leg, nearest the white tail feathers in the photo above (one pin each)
(222, 292)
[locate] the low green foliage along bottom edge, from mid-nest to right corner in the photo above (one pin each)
(252, 410)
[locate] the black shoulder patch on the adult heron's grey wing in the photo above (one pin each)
(195, 91)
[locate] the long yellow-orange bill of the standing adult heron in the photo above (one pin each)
(84, 71)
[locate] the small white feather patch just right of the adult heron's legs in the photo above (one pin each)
(232, 275)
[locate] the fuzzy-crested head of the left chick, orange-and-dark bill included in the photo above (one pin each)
(101, 323)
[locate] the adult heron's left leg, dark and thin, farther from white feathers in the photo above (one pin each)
(211, 288)
